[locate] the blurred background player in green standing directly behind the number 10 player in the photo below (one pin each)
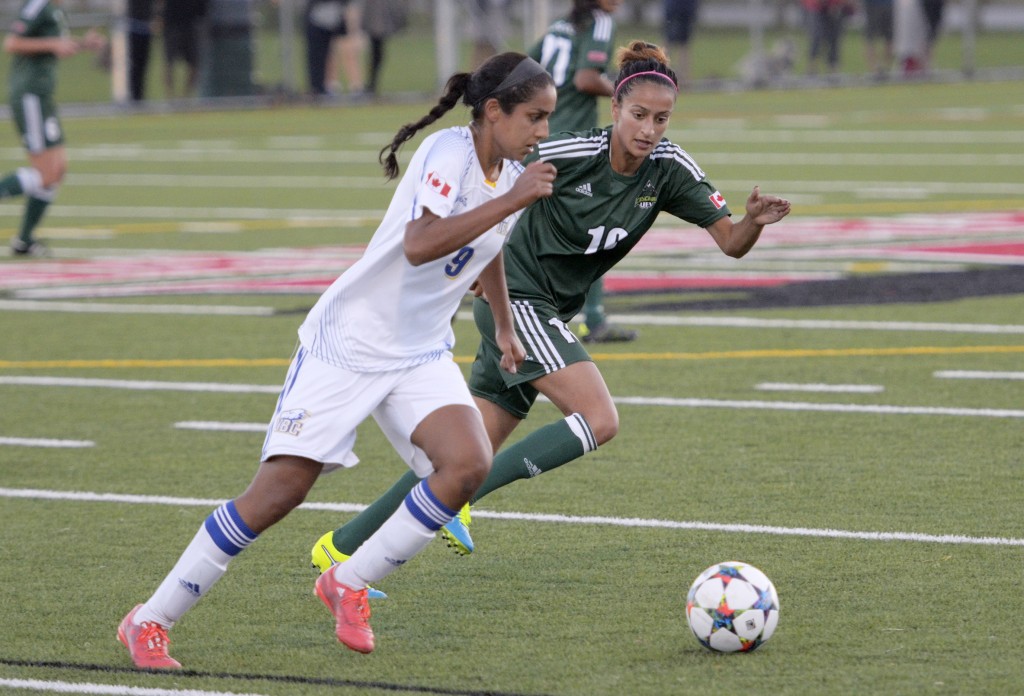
(577, 51)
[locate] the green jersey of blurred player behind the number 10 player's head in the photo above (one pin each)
(564, 52)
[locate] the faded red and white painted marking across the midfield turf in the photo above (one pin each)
(990, 238)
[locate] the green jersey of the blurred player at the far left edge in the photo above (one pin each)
(37, 73)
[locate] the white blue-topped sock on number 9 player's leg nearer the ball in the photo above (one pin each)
(404, 536)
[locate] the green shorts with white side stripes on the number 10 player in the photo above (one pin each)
(550, 346)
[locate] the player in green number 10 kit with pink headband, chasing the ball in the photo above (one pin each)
(611, 187)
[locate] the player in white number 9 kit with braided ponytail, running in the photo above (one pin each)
(378, 343)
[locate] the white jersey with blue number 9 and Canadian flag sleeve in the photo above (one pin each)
(383, 314)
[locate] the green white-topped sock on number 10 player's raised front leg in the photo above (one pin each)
(542, 451)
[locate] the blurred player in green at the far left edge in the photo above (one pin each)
(38, 38)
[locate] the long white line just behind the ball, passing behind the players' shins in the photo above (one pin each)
(89, 497)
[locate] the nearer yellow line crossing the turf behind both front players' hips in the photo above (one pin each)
(710, 356)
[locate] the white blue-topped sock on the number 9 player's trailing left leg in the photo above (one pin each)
(204, 561)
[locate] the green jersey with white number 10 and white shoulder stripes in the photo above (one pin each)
(564, 243)
